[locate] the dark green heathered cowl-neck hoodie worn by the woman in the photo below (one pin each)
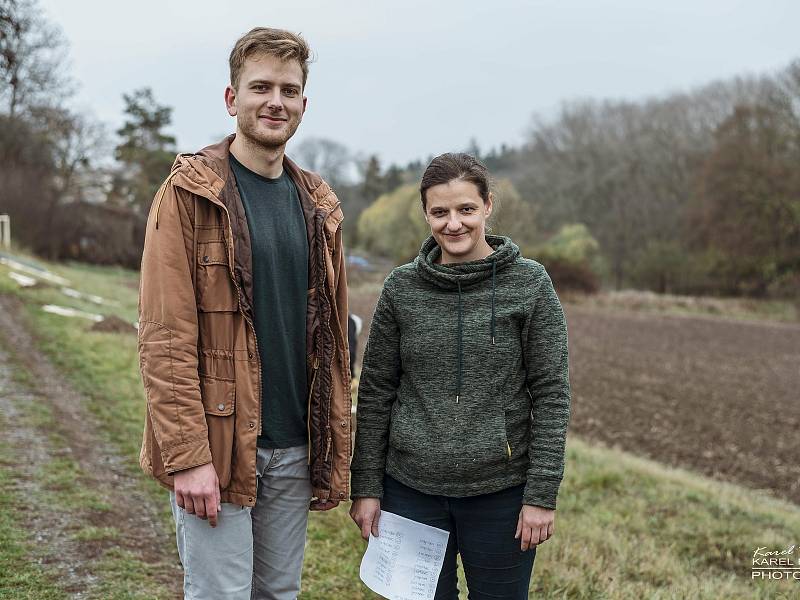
(465, 385)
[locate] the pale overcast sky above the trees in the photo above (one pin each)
(412, 78)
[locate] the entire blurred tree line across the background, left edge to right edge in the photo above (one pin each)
(692, 192)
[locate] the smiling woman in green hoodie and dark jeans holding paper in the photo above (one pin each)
(464, 395)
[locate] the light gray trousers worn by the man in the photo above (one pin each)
(253, 553)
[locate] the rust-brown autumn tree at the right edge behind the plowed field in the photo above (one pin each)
(748, 206)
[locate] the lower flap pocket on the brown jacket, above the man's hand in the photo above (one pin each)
(219, 403)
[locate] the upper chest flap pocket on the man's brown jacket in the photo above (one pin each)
(215, 289)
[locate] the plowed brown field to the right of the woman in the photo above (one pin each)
(717, 396)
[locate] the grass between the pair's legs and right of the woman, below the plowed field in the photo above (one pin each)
(626, 528)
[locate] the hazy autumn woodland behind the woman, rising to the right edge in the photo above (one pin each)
(695, 192)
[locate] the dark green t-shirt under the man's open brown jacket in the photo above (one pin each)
(280, 285)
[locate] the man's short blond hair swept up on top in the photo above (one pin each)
(279, 43)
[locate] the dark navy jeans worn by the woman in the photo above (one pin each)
(481, 529)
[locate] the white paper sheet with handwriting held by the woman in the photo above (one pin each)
(404, 561)
